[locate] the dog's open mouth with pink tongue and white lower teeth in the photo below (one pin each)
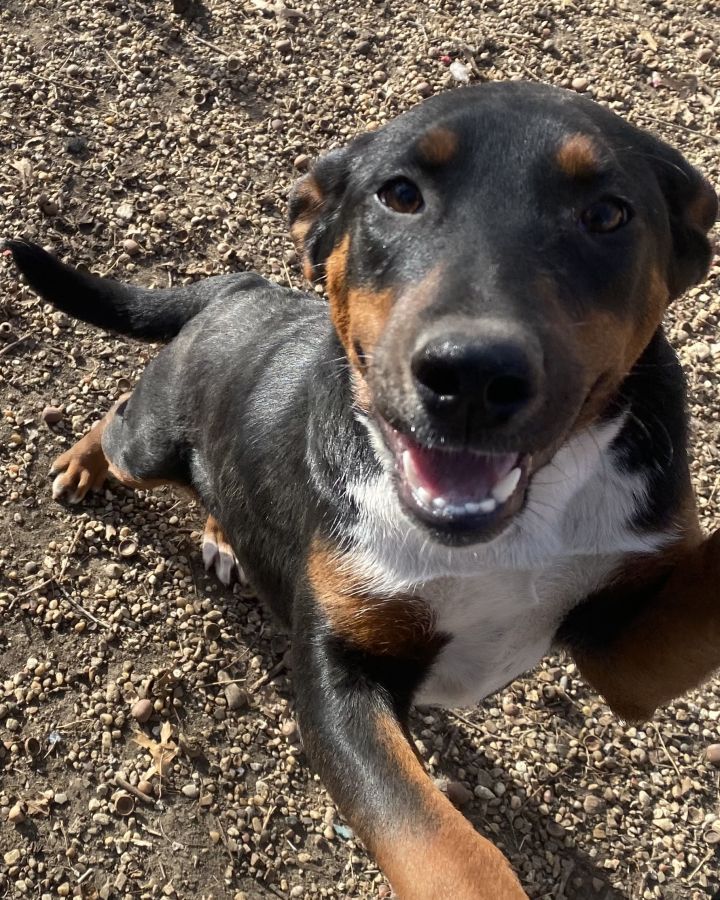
(457, 489)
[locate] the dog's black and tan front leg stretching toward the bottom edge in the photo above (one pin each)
(357, 662)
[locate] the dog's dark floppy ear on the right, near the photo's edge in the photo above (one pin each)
(692, 207)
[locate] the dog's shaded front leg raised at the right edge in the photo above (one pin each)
(655, 632)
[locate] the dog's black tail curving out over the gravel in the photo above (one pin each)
(151, 315)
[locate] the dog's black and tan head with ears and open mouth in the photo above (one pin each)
(496, 259)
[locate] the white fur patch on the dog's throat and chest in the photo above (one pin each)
(501, 602)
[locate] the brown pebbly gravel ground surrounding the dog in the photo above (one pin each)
(147, 743)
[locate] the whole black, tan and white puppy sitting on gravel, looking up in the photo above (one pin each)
(476, 451)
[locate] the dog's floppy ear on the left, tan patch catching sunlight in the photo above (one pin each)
(315, 207)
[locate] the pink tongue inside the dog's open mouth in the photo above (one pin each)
(456, 476)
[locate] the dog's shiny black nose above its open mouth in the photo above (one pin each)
(487, 381)
